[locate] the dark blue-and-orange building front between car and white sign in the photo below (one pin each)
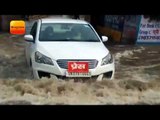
(121, 29)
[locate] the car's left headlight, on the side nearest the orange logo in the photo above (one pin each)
(40, 58)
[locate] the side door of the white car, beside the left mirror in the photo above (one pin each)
(30, 45)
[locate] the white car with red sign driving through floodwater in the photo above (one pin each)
(67, 48)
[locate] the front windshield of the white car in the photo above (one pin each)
(67, 32)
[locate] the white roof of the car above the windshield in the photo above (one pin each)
(63, 20)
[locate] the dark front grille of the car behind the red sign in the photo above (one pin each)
(63, 63)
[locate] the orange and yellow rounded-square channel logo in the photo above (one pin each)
(17, 27)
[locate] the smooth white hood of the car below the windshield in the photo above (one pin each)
(73, 50)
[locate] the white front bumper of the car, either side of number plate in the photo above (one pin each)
(57, 71)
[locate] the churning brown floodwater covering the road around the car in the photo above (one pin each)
(137, 78)
